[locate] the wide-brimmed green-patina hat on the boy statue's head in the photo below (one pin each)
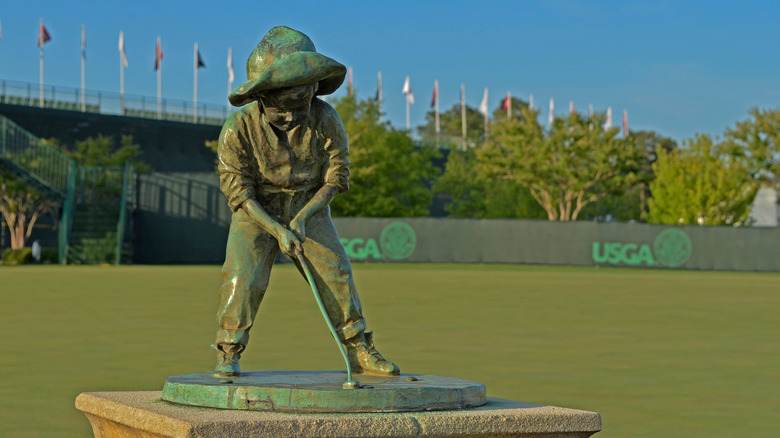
(287, 58)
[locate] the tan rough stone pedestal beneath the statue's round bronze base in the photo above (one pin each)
(145, 414)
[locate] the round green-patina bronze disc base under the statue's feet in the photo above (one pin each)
(321, 391)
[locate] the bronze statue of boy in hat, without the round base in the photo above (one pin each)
(282, 158)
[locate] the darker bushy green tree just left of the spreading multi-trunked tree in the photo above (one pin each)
(472, 194)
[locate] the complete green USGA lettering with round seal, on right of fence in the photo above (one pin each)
(671, 247)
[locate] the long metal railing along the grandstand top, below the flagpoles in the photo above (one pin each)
(68, 98)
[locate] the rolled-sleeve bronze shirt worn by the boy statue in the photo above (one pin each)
(258, 161)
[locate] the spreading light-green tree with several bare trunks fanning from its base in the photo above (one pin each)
(574, 163)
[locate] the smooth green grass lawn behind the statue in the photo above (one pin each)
(656, 352)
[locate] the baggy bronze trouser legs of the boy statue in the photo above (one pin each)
(250, 256)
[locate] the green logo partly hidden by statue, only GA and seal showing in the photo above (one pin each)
(397, 242)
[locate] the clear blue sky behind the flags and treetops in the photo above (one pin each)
(678, 67)
